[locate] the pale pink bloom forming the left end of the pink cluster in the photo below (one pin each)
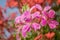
(25, 17)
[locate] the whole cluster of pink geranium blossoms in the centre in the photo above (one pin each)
(27, 20)
